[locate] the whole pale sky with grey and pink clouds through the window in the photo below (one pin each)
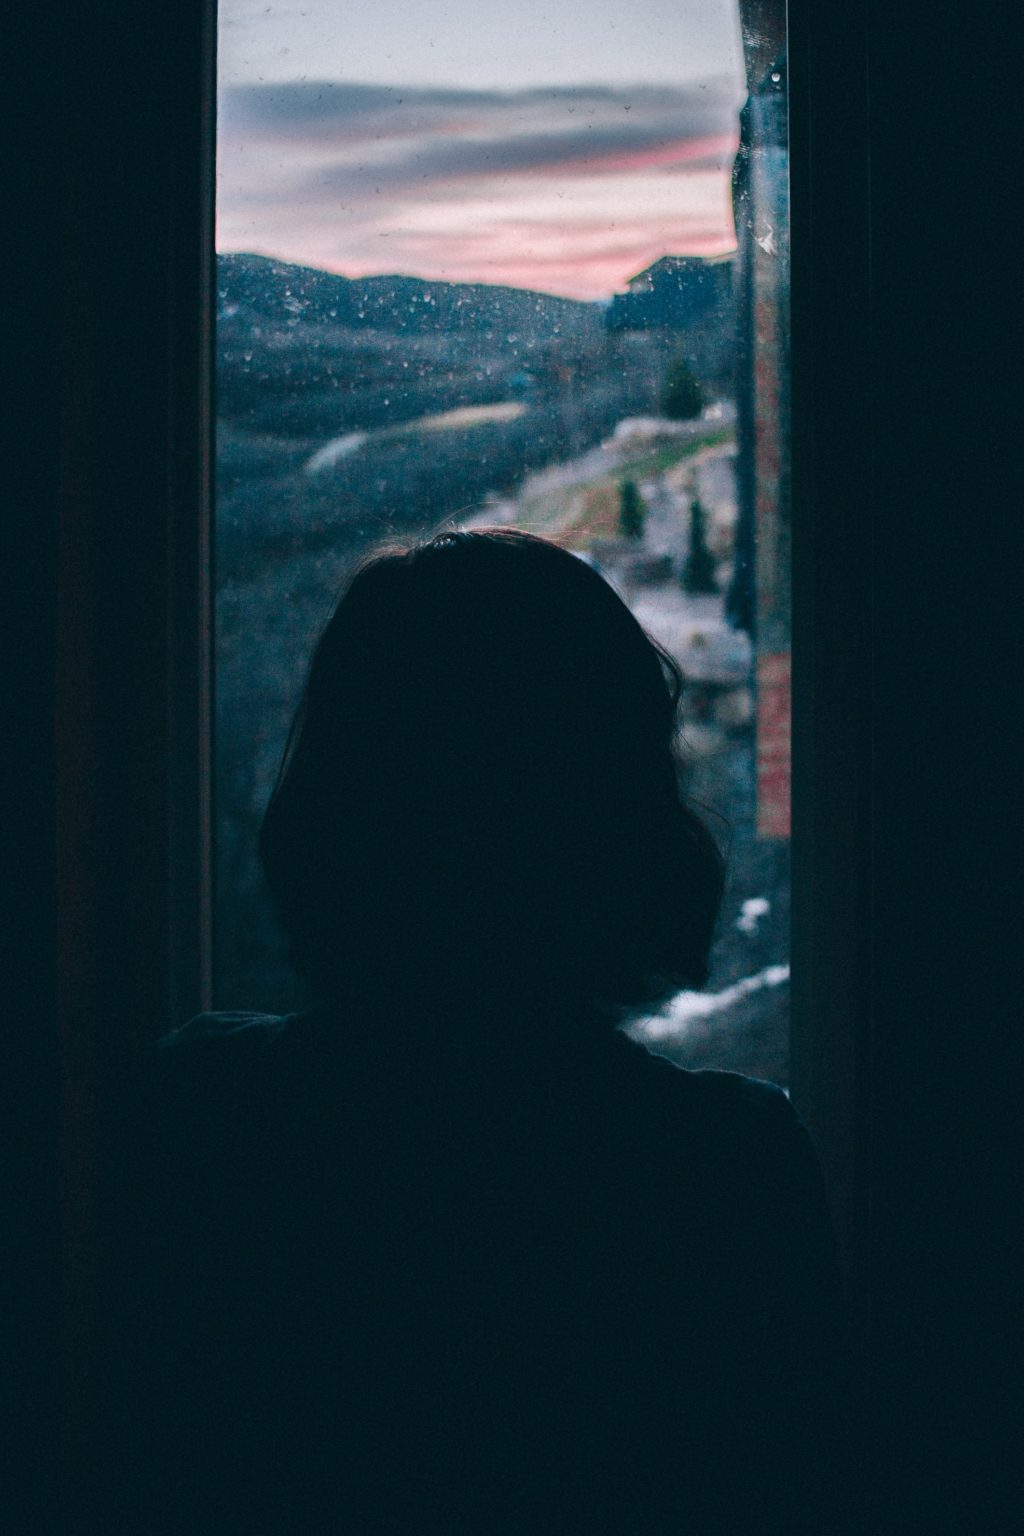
(560, 147)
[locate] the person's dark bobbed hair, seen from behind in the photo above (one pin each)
(481, 795)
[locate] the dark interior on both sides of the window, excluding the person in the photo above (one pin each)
(905, 615)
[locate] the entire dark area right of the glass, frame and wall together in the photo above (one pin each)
(907, 554)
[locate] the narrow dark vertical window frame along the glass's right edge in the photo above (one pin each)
(833, 583)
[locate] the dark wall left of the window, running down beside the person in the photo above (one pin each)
(104, 569)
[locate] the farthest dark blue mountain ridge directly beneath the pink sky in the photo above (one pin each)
(254, 290)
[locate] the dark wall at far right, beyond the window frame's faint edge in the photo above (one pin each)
(946, 784)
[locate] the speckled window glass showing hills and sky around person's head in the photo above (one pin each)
(526, 274)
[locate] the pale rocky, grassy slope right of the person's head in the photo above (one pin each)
(742, 1019)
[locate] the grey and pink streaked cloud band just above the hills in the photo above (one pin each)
(566, 193)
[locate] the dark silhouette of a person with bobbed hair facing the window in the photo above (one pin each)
(451, 1253)
